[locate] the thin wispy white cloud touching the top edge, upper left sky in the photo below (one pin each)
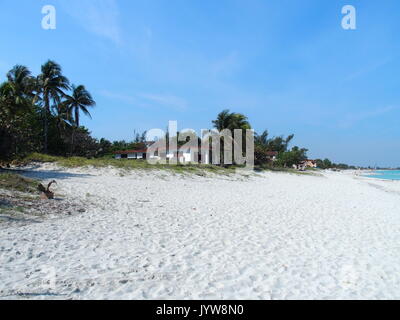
(100, 17)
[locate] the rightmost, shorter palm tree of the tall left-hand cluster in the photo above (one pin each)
(79, 101)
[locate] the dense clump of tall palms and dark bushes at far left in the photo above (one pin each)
(42, 113)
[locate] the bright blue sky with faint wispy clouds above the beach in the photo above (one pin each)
(288, 65)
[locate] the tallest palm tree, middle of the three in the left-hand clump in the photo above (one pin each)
(51, 84)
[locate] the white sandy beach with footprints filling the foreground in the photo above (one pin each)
(160, 236)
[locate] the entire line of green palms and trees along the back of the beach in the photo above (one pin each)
(42, 114)
